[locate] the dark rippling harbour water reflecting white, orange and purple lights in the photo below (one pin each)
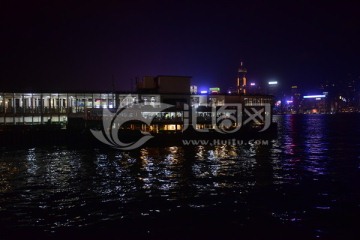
(300, 180)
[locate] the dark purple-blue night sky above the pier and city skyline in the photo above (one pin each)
(61, 45)
